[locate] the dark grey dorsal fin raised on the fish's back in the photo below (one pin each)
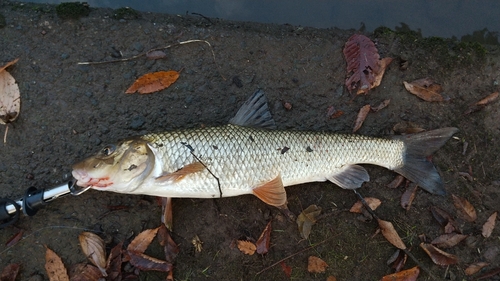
(254, 113)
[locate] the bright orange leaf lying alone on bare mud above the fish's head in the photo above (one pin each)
(153, 82)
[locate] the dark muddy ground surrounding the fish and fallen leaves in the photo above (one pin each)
(70, 111)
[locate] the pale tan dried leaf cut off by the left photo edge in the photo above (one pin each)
(10, 97)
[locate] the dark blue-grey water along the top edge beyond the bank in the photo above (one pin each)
(479, 19)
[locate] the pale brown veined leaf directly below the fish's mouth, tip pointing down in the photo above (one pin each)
(94, 249)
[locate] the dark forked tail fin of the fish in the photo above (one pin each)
(415, 167)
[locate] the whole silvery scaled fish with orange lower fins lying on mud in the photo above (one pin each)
(250, 156)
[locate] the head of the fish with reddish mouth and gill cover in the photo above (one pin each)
(117, 167)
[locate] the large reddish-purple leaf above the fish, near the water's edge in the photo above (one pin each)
(362, 60)
